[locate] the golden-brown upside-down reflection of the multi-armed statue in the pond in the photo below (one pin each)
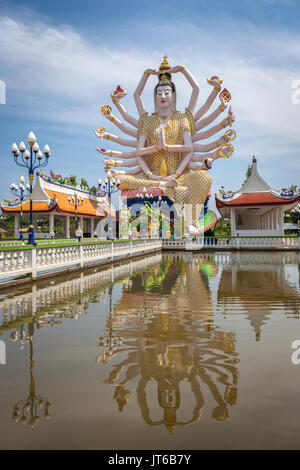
(163, 329)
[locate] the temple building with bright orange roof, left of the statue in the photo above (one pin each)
(51, 199)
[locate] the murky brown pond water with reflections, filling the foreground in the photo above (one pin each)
(178, 351)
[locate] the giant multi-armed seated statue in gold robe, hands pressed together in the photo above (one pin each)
(165, 153)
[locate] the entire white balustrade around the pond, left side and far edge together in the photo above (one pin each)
(23, 261)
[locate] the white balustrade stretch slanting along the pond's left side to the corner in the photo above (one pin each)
(21, 262)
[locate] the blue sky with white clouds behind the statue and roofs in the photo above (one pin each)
(61, 60)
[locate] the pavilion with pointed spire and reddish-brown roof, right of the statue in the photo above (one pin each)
(256, 209)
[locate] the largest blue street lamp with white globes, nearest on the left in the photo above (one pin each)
(32, 161)
